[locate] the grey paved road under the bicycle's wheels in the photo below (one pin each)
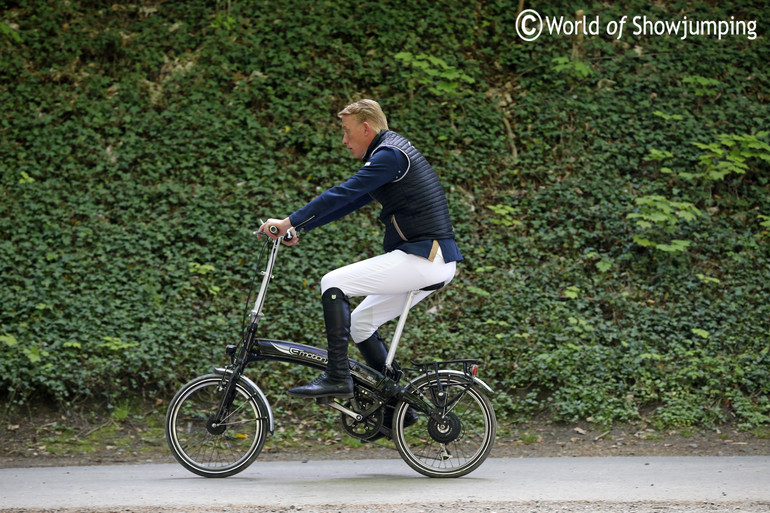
(285, 484)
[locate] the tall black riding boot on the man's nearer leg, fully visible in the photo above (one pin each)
(336, 380)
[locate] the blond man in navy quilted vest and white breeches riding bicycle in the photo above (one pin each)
(419, 246)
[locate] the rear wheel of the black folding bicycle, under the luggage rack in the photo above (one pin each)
(458, 443)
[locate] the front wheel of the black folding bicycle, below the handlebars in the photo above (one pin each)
(210, 448)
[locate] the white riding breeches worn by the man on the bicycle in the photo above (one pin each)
(386, 281)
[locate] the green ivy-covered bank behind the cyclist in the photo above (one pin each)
(611, 195)
